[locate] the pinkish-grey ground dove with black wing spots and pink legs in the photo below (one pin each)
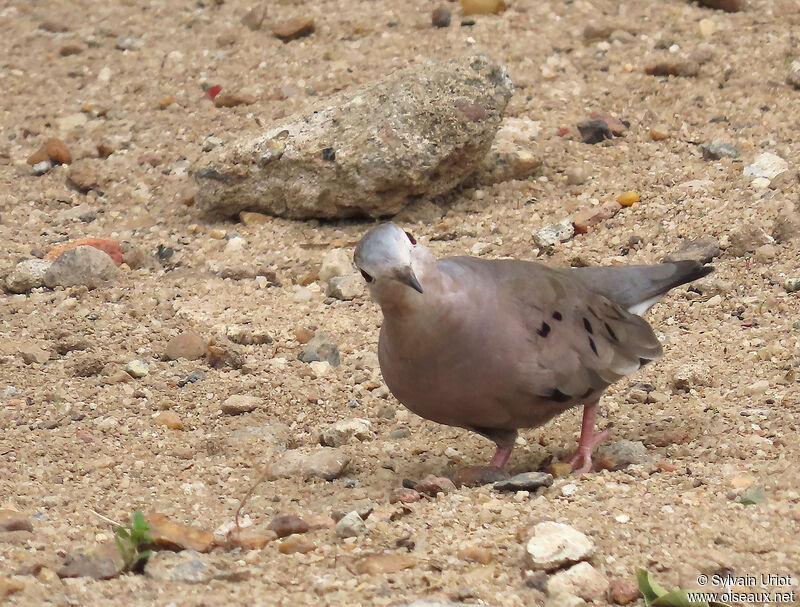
(498, 345)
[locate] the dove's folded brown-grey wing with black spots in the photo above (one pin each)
(579, 341)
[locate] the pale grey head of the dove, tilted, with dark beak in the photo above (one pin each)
(385, 257)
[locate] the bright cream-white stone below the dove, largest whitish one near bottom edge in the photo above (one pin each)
(554, 545)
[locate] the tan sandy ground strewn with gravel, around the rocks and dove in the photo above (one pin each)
(71, 445)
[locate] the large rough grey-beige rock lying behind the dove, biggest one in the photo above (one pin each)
(369, 151)
